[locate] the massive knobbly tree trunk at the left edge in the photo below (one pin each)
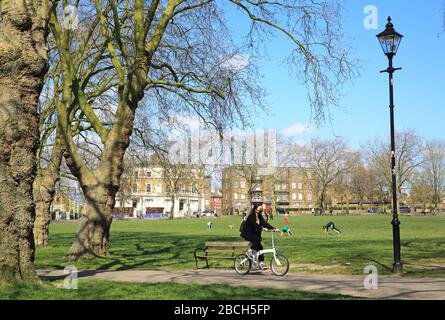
(23, 64)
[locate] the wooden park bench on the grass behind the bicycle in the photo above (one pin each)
(220, 250)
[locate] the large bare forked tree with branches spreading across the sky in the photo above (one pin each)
(179, 55)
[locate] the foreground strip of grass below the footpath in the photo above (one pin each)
(110, 290)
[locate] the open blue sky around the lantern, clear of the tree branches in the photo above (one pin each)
(419, 86)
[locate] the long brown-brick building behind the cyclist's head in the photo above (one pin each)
(281, 188)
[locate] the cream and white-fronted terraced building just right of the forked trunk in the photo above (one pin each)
(180, 190)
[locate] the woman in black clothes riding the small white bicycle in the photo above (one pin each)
(252, 228)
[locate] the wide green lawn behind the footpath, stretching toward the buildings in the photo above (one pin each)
(169, 244)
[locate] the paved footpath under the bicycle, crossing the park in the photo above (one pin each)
(389, 287)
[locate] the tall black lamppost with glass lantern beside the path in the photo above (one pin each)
(390, 41)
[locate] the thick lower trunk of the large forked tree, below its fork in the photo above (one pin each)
(94, 231)
